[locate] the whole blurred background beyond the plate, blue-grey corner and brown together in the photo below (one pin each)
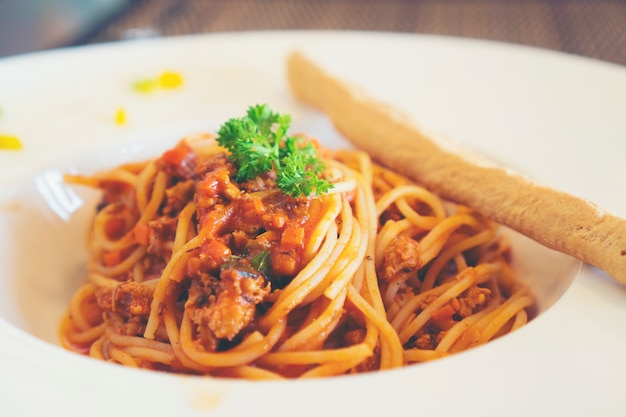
(592, 28)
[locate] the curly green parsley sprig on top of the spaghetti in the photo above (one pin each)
(258, 143)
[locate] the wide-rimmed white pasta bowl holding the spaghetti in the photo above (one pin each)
(560, 119)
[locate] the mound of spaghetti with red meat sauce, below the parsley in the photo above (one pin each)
(194, 272)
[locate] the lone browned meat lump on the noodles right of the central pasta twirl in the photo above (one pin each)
(401, 258)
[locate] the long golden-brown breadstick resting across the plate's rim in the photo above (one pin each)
(555, 219)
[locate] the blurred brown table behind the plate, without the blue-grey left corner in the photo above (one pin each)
(592, 28)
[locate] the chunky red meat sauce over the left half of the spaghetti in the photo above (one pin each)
(254, 244)
